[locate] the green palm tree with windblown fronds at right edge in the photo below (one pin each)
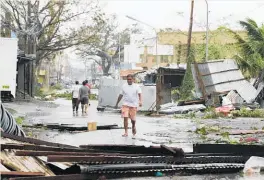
(250, 57)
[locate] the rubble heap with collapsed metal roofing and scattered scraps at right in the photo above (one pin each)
(221, 84)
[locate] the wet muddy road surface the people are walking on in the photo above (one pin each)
(151, 130)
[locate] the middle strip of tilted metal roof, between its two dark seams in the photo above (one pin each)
(222, 77)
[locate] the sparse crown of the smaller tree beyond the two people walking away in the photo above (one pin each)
(107, 44)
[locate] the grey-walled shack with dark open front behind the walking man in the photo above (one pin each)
(156, 85)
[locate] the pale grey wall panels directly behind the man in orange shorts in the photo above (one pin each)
(109, 91)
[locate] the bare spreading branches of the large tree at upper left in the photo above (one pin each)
(49, 25)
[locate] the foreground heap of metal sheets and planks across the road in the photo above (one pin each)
(27, 158)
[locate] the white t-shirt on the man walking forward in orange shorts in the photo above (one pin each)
(130, 94)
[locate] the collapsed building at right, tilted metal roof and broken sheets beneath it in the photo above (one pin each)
(216, 79)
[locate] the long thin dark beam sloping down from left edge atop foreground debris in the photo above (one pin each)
(34, 141)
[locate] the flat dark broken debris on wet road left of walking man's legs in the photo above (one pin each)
(71, 127)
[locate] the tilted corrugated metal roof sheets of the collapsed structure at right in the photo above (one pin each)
(223, 75)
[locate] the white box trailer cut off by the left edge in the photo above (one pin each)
(8, 67)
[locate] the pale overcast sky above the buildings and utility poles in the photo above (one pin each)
(175, 13)
